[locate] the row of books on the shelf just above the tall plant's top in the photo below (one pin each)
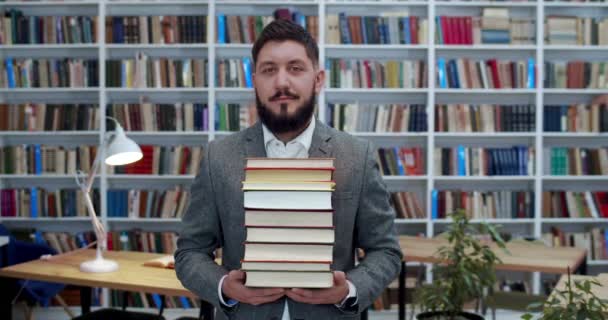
(498, 204)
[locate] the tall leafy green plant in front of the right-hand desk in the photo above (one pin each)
(469, 268)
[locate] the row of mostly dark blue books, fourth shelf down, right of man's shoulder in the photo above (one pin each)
(477, 161)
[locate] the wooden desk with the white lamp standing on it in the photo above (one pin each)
(131, 275)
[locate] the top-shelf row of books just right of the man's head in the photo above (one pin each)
(397, 27)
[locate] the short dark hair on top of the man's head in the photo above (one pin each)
(282, 30)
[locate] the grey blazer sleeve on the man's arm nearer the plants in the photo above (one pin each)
(375, 234)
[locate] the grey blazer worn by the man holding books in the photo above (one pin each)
(215, 218)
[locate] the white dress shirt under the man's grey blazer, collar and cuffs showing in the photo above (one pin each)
(296, 148)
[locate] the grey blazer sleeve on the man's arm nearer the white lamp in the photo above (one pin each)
(200, 235)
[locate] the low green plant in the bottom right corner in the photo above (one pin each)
(576, 301)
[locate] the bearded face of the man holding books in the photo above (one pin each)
(286, 83)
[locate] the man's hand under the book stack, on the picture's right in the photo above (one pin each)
(333, 295)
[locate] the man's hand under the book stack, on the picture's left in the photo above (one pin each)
(234, 287)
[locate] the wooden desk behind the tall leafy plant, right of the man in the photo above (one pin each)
(522, 256)
